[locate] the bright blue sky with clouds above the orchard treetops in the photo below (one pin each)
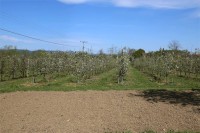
(147, 24)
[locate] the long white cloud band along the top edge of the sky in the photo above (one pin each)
(140, 3)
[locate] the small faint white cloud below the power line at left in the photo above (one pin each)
(14, 39)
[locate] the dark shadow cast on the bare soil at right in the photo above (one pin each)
(184, 98)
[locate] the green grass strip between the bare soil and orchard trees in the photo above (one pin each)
(135, 80)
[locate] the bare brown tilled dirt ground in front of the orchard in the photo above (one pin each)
(96, 112)
